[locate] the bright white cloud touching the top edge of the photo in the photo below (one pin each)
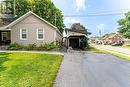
(80, 4)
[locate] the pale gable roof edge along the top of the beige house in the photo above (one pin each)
(26, 15)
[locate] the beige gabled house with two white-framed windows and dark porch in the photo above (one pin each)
(29, 29)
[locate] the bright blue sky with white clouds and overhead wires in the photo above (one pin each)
(107, 24)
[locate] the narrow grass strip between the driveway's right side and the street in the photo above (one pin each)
(109, 52)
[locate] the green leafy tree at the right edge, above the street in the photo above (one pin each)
(124, 24)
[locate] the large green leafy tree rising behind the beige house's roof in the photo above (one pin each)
(44, 8)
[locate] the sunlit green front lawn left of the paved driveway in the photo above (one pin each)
(28, 69)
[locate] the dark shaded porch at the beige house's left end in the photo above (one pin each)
(5, 37)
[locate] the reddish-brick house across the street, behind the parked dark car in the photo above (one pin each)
(113, 38)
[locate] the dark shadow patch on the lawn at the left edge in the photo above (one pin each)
(3, 58)
